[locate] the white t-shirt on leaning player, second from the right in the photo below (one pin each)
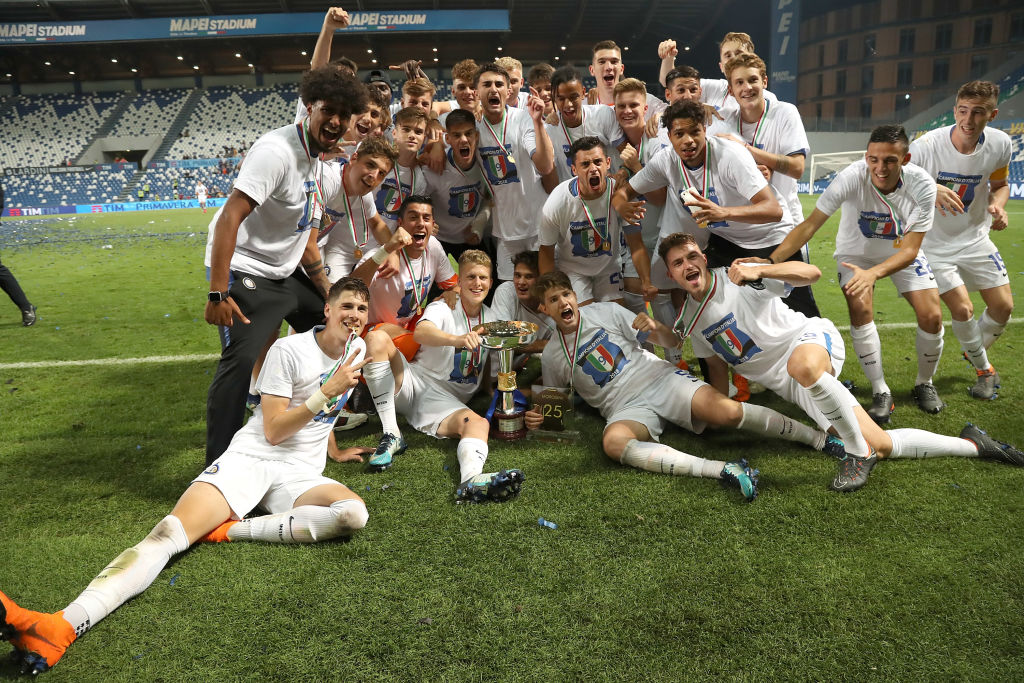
(867, 227)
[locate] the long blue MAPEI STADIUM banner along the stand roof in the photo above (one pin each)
(392, 21)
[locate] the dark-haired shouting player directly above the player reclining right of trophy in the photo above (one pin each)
(581, 232)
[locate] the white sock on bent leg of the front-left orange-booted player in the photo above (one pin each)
(308, 524)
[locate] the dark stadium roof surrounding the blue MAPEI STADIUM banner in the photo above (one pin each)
(540, 29)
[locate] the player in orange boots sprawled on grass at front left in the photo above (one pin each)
(276, 461)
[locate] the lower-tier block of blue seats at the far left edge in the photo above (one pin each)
(63, 189)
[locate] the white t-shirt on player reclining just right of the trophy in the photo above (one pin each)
(610, 367)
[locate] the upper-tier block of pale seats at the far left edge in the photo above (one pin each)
(42, 131)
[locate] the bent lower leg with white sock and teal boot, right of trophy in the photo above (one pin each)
(629, 443)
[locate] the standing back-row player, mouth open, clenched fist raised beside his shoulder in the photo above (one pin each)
(517, 152)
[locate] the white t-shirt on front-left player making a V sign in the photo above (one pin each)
(296, 367)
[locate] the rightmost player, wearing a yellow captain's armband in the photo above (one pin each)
(970, 163)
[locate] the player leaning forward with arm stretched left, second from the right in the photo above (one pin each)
(887, 206)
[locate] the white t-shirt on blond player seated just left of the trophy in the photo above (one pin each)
(458, 370)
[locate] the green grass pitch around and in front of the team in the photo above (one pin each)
(647, 578)
